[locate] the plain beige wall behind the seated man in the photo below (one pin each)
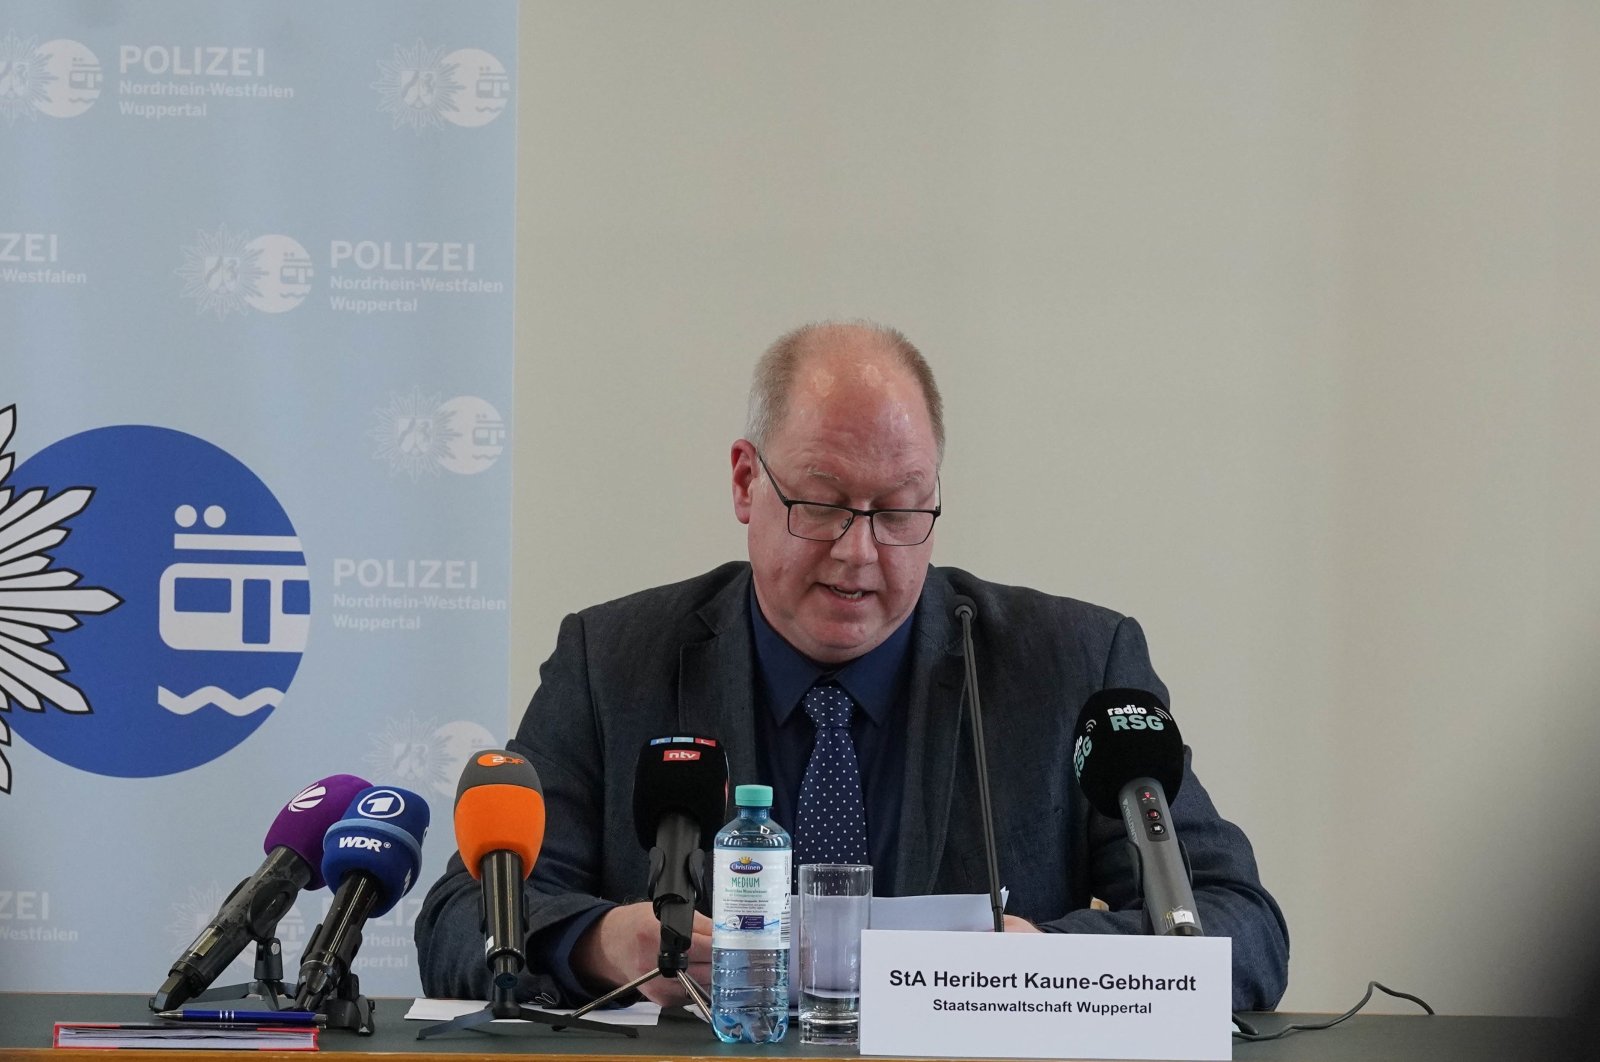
(1274, 325)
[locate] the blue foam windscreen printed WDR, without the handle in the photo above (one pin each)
(382, 834)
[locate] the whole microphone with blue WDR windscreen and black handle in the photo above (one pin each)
(374, 853)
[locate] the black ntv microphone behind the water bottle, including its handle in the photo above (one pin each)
(681, 799)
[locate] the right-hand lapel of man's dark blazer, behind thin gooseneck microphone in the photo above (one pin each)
(934, 738)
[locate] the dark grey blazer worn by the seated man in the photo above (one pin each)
(679, 660)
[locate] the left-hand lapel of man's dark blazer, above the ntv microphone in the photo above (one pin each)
(718, 681)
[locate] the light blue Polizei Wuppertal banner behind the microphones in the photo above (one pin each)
(255, 482)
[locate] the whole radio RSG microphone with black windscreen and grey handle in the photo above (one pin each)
(1129, 761)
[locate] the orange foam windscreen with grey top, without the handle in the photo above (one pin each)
(500, 808)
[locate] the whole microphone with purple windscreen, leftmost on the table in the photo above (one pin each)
(254, 909)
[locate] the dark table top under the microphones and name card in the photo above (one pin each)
(28, 1020)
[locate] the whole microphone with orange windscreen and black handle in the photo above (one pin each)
(500, 828)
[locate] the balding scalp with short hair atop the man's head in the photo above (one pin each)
(838, 357)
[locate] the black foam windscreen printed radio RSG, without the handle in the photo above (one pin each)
(1124, 735)
